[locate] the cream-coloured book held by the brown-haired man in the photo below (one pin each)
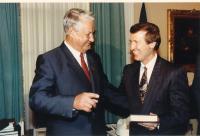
(143, 118)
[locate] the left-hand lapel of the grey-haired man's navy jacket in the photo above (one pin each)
(73, 64)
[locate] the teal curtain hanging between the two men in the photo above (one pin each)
(110, 42)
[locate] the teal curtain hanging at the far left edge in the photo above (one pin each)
(11, 98)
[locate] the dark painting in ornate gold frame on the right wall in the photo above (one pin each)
(183, 37)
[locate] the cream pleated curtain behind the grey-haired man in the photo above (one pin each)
(42, 30)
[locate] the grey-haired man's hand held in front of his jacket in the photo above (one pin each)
(85, 101)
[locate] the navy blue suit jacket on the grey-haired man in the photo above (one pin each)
(58, 79)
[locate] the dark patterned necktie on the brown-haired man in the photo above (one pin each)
(143, 85)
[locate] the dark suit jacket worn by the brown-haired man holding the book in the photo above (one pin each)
(167, 97)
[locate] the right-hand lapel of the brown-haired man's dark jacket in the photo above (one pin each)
(153, 86)
